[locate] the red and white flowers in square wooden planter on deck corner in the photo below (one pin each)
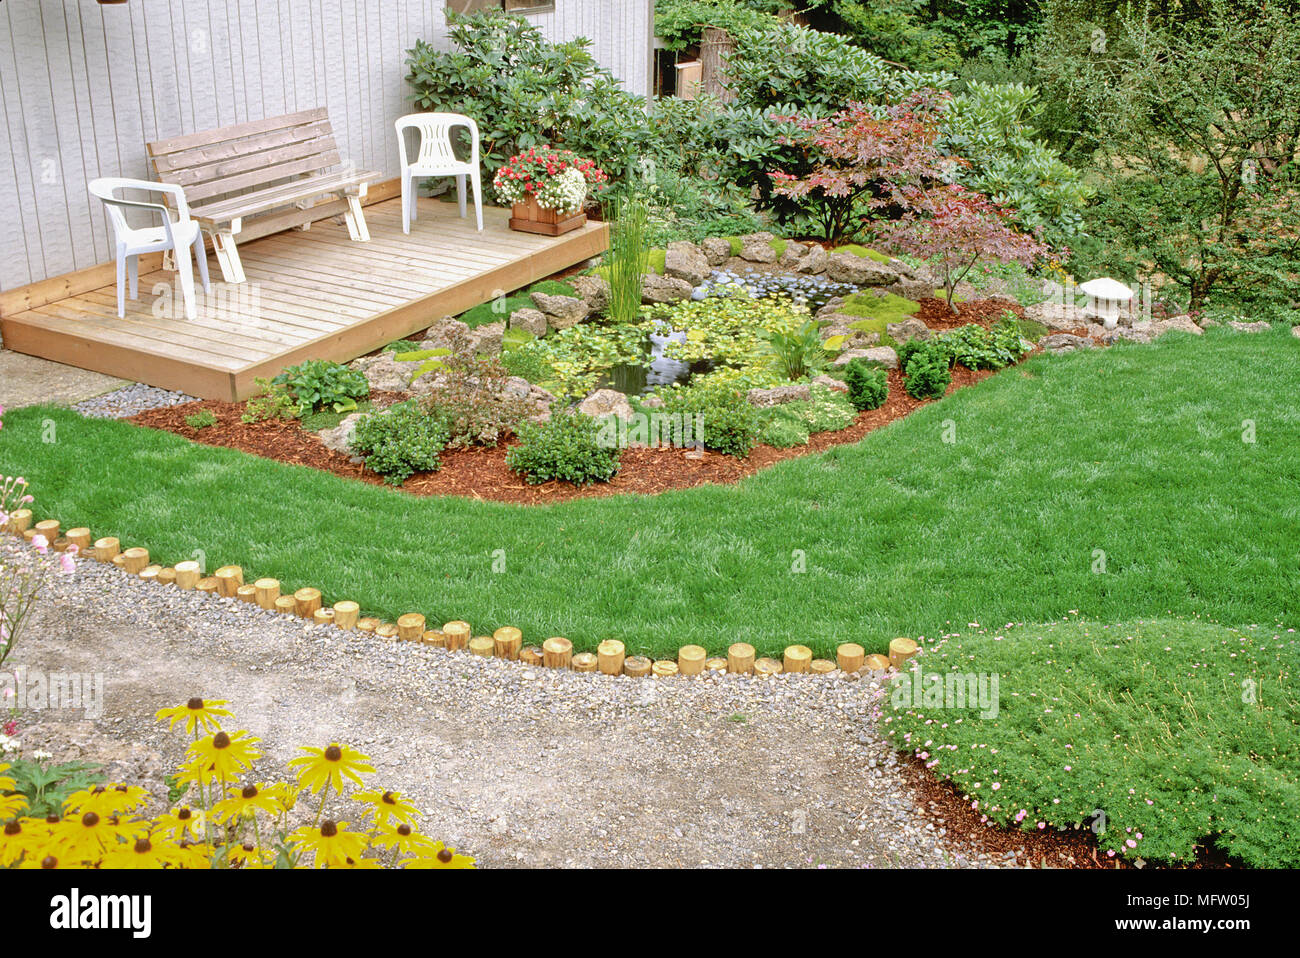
(548, 189)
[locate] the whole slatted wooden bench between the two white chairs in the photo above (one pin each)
(252, 180)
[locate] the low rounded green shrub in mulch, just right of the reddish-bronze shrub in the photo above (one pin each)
(567, 448)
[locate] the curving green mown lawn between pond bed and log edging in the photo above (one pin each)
(1137, 453)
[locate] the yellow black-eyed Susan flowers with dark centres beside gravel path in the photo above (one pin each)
(226, 816)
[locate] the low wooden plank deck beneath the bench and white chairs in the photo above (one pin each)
(311, 294)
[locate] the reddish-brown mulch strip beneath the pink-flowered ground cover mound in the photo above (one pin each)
(941, 804)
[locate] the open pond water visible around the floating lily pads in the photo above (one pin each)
(813, 292)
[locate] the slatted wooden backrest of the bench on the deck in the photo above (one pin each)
(214, 164)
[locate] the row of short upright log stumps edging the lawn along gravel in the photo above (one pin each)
(505, 643)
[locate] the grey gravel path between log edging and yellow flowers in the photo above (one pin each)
(514, 765)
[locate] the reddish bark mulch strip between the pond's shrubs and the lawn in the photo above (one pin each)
(482, 474)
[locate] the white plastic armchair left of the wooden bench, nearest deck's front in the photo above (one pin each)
(179, 236)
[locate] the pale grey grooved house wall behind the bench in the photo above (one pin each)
(85, 86)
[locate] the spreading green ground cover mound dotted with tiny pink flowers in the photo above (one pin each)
(1178, 731)
